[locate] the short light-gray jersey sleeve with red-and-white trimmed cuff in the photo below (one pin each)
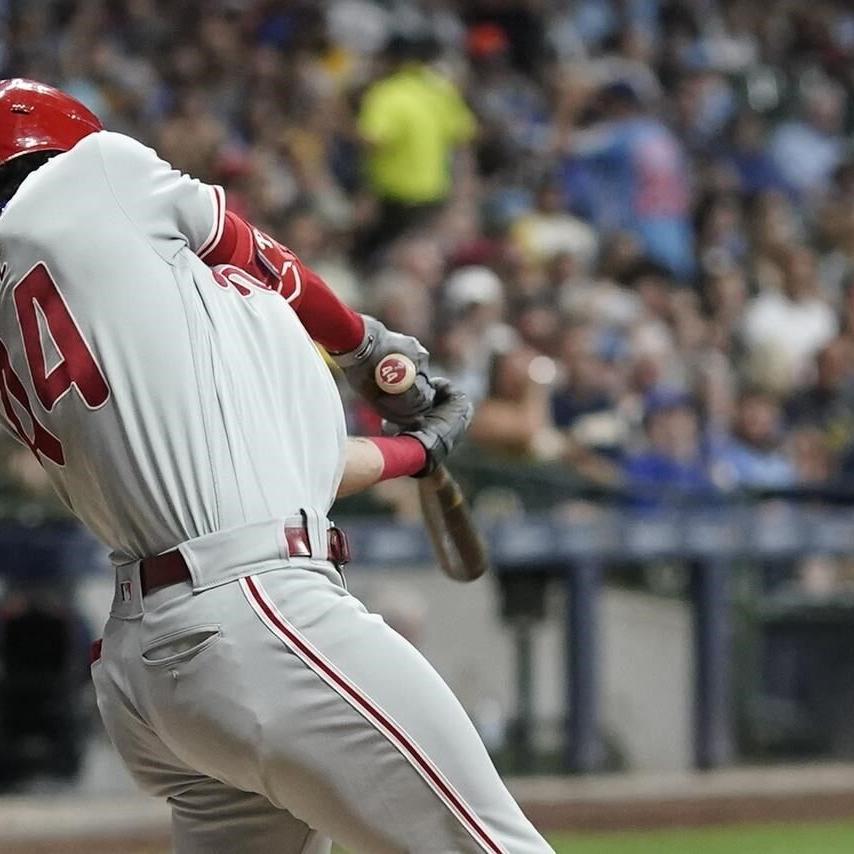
(169, 208)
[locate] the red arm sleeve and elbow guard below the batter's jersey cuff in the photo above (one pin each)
(328, 320)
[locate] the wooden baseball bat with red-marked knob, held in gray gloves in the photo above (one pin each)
(460, 549)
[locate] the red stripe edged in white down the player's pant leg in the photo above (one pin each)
(292, 638)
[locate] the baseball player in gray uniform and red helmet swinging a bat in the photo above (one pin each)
(157, 356)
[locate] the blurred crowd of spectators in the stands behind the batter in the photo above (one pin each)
(625, 226)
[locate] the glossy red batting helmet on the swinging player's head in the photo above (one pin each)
(36, 117)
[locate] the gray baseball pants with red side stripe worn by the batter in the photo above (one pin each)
(276, 714)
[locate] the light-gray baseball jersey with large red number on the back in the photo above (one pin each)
(164, 401)
